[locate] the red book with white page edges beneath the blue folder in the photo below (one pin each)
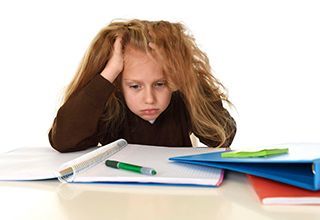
(276, 193)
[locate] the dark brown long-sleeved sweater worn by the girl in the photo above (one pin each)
(78, 123)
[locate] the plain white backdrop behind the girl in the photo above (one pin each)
(266, 53)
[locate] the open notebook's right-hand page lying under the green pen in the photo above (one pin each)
(155, 157)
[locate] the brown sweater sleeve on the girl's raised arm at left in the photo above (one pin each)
(76, 124)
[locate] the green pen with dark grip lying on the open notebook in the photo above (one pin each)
(130, 167)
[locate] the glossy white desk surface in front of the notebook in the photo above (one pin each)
(234, 199)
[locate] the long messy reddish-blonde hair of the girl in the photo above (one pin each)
(185, 66)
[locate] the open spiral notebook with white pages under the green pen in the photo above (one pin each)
(88, 166)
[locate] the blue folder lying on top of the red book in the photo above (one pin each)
(300, 167)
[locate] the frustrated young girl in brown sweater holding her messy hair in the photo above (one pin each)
(146, 82)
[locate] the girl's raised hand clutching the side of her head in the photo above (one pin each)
(115, 63)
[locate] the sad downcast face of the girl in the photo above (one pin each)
(144, 87)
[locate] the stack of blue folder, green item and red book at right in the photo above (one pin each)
(289, 178)
